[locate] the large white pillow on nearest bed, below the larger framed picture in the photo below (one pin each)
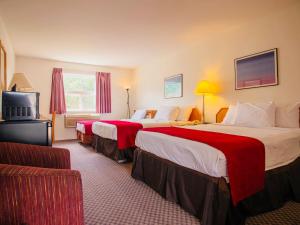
(255, 115)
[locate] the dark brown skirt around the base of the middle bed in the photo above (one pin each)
(110, 149)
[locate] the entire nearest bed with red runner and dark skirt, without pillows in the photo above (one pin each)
(220, 174)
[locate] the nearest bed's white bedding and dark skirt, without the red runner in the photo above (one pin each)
(195, 176)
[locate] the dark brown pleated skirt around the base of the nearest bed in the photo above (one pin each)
(208, 198)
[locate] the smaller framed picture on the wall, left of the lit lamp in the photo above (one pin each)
(173, 86)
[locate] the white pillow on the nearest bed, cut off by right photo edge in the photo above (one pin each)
(288, 116)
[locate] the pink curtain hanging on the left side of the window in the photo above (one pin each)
(57, 103)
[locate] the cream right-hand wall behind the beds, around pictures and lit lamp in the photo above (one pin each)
(213, 59)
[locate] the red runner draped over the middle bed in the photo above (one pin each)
(126, 132)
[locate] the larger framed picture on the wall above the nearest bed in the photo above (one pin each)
(257, 70)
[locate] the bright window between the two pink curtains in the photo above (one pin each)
(80, 92)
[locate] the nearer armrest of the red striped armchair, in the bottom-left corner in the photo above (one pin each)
(36, 196)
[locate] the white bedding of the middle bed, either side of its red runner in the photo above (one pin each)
(109, 131)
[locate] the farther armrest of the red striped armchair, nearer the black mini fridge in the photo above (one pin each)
(34, 155)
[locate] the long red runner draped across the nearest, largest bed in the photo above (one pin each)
(245, 158)
